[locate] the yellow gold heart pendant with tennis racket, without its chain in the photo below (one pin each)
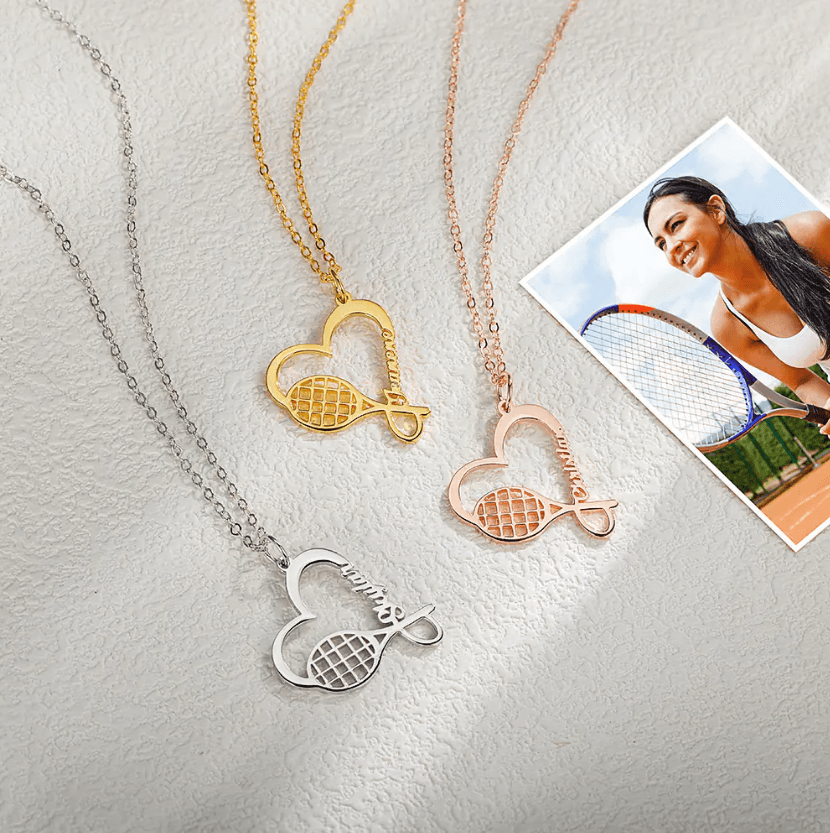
(328, 403)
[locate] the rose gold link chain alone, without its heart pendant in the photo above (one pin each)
(489, 346)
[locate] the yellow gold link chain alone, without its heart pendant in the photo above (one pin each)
(331, 273)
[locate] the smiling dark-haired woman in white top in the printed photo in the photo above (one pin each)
(773, 310)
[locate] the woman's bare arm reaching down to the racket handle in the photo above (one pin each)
(739, 340)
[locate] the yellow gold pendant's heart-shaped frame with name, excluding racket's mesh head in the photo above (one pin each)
(396, 402)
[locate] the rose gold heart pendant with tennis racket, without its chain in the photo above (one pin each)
(514, 515)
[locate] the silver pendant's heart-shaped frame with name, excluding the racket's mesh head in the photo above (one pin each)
(389, 615)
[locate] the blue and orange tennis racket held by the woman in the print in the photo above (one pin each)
(701, 390)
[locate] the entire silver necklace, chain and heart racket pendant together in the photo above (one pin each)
(342, 660)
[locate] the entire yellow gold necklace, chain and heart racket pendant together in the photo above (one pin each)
(322, 402)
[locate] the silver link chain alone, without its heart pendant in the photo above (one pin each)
(258, 540)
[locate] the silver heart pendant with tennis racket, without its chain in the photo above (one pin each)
(346, 659)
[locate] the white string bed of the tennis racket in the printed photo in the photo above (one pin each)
(698, 395)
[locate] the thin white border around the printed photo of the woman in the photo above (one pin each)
(726, 120)
